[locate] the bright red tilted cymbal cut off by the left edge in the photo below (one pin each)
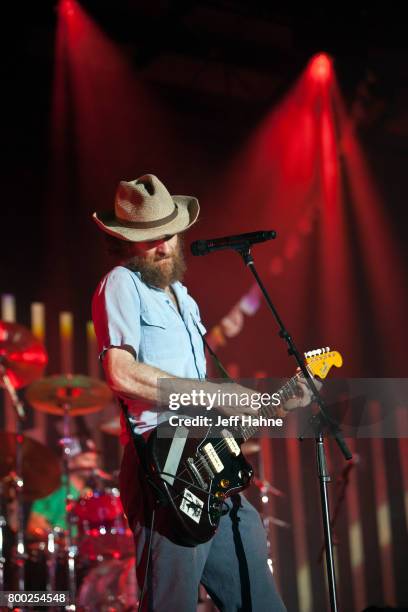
(22, 355)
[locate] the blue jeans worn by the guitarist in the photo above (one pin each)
(232, 566)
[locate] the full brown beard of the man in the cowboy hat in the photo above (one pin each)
(162, 272)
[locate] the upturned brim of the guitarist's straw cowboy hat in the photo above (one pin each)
(188, 210)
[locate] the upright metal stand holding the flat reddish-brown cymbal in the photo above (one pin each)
(71, 547)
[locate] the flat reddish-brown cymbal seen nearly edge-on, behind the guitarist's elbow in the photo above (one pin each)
(80, 394)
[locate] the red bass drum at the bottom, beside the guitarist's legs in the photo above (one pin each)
(111, 585)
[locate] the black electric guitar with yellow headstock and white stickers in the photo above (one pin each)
(195, 474)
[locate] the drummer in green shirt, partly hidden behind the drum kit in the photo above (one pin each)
(50, 512)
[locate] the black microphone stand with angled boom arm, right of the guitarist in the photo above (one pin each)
(319, 422)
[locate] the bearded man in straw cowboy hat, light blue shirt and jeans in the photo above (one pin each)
(148, 327)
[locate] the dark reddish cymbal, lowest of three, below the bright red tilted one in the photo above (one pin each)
(41, 467)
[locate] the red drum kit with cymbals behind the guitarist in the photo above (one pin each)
(95, 553)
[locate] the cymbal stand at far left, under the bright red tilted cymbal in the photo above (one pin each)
(20, 555)
